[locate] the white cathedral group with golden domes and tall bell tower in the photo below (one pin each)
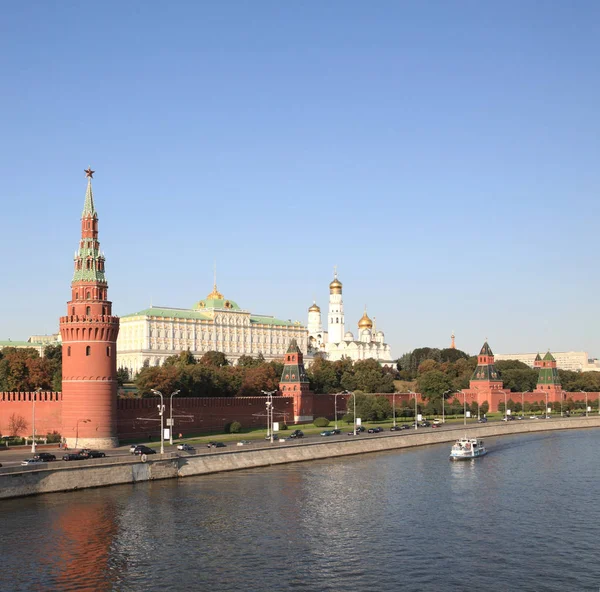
(337, 343)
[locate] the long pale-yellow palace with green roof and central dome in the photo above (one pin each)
(150, 336)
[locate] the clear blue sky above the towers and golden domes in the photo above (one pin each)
(443, 154)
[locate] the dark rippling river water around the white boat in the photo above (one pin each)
(525, 517)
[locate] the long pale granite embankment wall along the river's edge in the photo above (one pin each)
(68, 476)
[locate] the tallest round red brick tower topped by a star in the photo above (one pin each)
(89, 336)
